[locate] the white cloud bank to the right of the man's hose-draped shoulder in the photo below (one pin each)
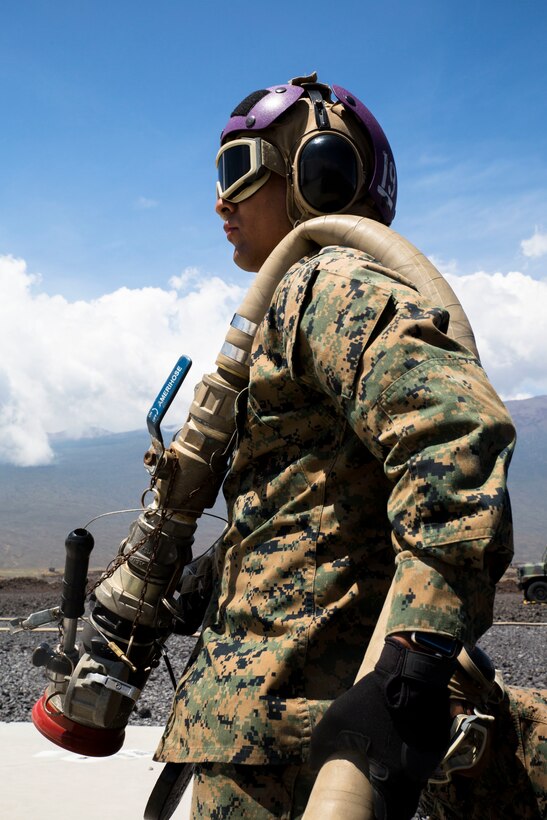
(507, 313)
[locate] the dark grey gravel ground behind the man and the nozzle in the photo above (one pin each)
(519, 650)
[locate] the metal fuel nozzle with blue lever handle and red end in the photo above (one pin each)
(133, 609)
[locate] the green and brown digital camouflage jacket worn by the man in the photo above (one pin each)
(370, 445)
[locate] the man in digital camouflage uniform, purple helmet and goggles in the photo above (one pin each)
(371, 448)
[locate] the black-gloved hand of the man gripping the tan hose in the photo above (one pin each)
(398, 718)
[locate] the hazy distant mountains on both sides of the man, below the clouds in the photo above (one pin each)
(41, 505)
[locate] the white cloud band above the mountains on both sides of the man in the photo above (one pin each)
(78, 366)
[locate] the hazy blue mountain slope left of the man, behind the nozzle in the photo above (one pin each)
(89, 477)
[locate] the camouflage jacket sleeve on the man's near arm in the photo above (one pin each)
(424, 407)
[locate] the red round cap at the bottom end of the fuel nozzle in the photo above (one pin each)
(74, 737)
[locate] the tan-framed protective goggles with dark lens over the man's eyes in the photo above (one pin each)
(244, 165)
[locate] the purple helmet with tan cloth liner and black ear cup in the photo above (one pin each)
(331, 148)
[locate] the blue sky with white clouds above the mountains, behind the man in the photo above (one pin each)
(111, 113)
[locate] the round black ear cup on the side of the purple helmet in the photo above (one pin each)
(329, 173)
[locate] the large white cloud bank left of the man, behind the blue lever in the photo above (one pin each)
(78, 366)
